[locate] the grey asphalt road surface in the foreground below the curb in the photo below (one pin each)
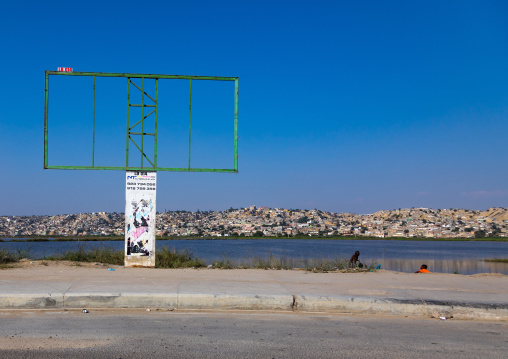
(166, 334)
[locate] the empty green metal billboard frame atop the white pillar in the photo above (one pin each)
(132, 129)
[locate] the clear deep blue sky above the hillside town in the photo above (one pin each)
(351, 106)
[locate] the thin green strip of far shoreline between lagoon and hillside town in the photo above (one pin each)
(340, 238)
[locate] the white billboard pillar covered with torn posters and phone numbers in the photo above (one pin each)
(140, 193)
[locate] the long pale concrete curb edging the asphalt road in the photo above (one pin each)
(301, 303)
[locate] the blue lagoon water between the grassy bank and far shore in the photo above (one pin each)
(403, 256)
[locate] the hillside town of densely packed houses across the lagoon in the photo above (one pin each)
(274, 222)
